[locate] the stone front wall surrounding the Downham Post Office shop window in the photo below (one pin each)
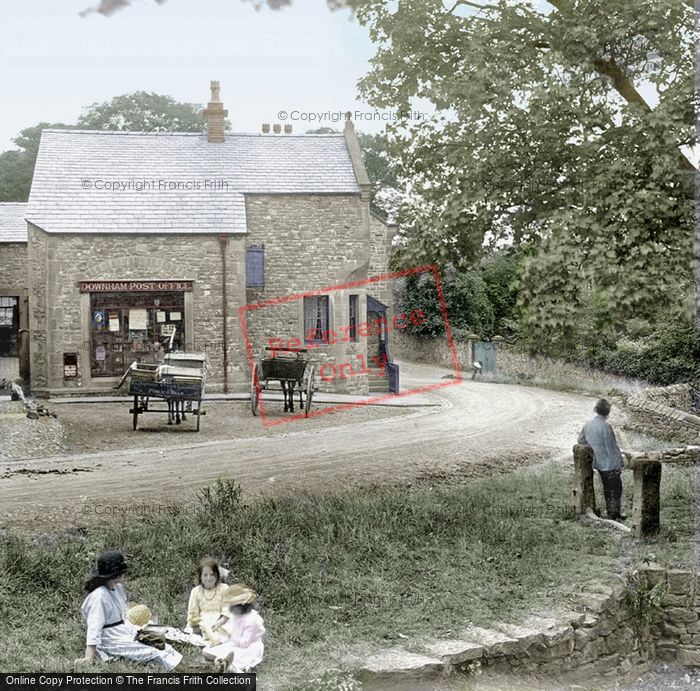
(58, 262)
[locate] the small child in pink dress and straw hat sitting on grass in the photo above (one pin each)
(244, 650)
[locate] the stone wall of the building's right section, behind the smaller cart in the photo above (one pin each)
(311, 242)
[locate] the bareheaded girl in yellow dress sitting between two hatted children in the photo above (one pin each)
(206, 613)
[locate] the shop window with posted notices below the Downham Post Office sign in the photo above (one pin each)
(128, 327)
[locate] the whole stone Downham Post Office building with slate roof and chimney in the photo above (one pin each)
(138, 239)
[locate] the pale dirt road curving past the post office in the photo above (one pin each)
(477, 426)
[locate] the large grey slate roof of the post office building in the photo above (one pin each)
(174, 182)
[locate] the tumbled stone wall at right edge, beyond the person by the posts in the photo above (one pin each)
(664, 412)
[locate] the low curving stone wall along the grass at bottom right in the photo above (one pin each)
(600, 636)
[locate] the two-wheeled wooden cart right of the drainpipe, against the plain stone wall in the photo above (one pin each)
(293, 372)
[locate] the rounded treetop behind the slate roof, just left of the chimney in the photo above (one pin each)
(143, 112)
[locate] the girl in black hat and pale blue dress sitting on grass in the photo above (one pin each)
(104, 608)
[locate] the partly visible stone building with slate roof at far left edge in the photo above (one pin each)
(13, 276)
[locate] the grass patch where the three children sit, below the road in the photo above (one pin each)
(337, 574)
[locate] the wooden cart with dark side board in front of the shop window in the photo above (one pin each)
(179, 381)
